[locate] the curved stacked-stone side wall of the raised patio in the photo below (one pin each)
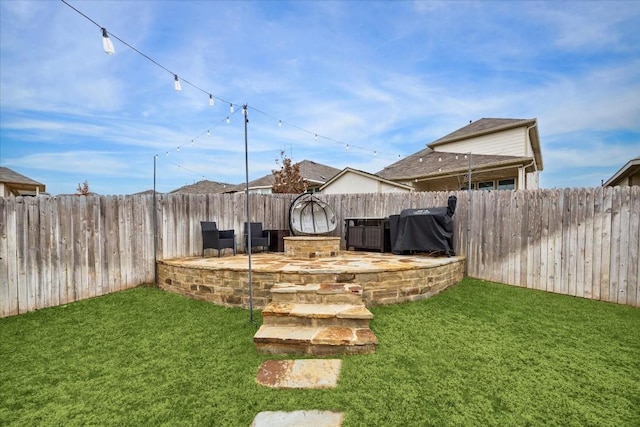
(229, 287)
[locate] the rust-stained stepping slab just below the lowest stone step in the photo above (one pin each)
(301, 373)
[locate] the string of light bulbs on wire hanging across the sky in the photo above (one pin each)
(236, 107)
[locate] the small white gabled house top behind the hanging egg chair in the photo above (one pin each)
(356, 181)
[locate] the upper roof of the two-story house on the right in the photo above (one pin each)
(487, 126)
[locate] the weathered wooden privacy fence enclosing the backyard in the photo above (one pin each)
(55, 250)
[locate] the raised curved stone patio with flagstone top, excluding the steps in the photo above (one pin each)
(384, 277)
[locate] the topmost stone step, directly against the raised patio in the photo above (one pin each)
(320, 293)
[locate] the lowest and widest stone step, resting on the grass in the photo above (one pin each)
(314, 341)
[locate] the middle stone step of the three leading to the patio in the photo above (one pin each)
(315, 315)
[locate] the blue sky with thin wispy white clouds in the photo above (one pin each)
(373, 80)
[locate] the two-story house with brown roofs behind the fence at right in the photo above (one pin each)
(501, 154)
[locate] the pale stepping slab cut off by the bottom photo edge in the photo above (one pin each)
(298, 418)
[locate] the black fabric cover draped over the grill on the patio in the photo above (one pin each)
(423, 230)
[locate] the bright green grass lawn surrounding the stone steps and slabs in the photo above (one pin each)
(478, 354)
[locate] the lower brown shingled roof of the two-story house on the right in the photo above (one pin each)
(427, 164)
